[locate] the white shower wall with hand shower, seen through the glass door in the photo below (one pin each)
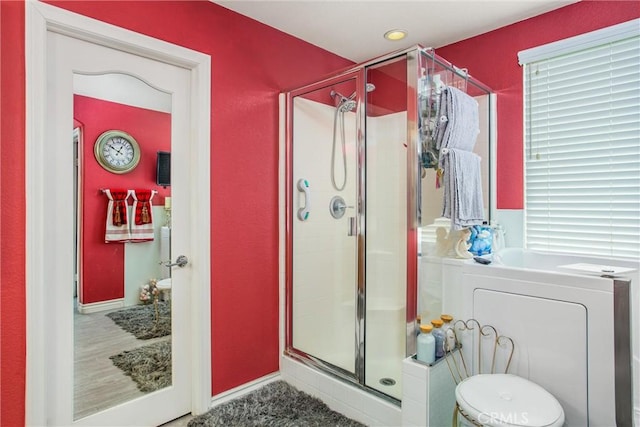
(324, 264)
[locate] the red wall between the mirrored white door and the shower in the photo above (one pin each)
(251, 63)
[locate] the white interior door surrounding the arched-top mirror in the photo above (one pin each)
(73, 55)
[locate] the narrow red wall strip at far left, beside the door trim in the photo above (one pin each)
(12, 214)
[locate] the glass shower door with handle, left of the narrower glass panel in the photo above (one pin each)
(322, 217)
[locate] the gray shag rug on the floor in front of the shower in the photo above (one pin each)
(277, 404)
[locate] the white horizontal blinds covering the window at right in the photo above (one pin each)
(582, 150)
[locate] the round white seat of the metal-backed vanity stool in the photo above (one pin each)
(507, 400)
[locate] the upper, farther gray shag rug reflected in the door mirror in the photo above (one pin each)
(141, 320)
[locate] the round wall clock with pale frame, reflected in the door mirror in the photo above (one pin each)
(117, 151)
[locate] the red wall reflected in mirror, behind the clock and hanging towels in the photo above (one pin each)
(102, 269)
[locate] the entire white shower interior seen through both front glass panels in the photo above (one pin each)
(325, 256)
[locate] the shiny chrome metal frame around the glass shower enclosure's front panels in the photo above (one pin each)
(413, 212)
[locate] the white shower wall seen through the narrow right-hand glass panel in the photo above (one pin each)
(386, 252)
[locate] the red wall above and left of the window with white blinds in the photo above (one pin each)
(493, 59)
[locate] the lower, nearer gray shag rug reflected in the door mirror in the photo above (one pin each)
(149, 366)
